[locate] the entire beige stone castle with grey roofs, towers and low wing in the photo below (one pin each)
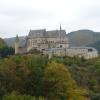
(53, 43)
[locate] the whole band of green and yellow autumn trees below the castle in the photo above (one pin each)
(34, 77)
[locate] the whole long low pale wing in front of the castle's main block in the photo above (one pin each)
(85, 52)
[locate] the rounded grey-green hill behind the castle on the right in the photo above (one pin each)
(83, 37)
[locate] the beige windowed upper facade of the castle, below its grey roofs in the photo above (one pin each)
(44, 43)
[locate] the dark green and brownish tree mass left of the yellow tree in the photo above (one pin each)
(23, 74)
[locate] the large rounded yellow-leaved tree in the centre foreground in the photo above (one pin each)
(58, 83)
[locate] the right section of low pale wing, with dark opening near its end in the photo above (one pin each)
(85, 52)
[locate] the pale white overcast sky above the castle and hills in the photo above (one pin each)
(19, 16)
